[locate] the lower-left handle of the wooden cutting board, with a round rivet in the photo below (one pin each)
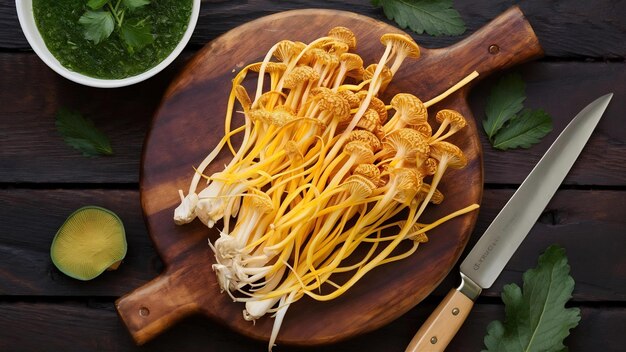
(157, 305)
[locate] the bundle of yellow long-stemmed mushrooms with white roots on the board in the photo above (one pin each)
(325, 168)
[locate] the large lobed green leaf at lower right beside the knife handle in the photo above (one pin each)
(536, 317)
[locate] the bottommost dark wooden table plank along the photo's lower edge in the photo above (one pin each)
(94, 326)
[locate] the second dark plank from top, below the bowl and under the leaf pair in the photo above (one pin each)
(32, 151)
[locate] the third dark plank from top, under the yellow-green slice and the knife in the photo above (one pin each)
(32, 217)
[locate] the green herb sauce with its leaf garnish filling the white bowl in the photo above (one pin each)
(91, 38)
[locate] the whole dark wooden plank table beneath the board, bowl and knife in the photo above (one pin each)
(42, 181)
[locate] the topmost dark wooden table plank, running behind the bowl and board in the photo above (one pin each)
(566, 29)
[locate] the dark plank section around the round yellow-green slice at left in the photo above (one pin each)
(31, 218)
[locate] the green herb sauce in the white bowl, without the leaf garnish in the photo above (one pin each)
(57, 21)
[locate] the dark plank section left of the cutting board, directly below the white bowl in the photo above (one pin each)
(33, 150)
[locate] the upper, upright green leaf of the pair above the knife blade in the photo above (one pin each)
(506, 100)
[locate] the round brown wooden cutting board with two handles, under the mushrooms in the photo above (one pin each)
(190, 122)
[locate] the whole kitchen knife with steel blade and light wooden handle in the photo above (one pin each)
(496, 246)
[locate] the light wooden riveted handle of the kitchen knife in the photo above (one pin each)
(441, 326)
